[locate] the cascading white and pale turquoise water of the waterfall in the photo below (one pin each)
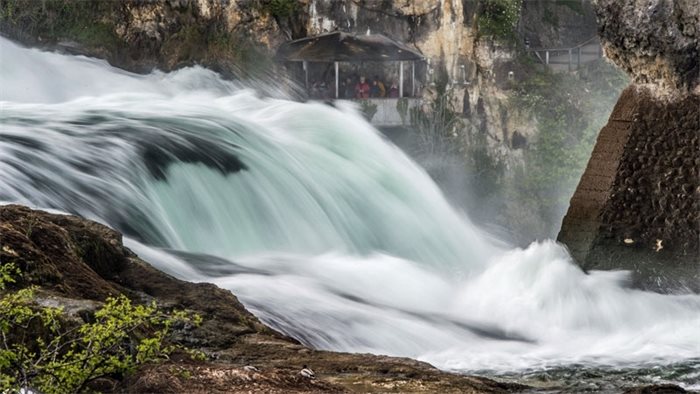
(323, 229)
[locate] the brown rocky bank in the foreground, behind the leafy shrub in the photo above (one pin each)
(78, 263)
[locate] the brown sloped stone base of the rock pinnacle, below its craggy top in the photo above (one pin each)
(637, 206)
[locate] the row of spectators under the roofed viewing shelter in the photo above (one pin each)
(349, 89)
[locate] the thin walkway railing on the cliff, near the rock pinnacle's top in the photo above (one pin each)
(571, 58)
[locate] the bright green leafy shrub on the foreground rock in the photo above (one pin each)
(42, 350)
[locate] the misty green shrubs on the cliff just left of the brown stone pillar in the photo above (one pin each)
(570, 111)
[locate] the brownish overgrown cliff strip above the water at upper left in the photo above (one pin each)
(140, 36)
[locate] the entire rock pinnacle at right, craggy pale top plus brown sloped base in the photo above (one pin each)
(637, 205)
